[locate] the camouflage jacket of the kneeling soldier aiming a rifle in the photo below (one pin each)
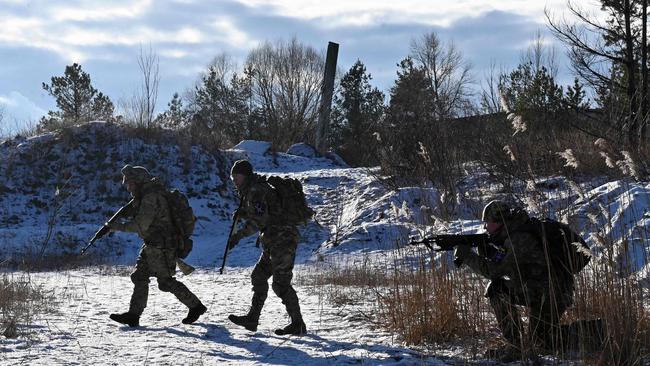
(523, 262)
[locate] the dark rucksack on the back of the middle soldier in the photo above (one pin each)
(295, 210)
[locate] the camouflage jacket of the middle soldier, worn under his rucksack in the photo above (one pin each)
(261, 207)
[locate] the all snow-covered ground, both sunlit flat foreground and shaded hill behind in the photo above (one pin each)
(358, 218)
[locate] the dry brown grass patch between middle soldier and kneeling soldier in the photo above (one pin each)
(422, 305)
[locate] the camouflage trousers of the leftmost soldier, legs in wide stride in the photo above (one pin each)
(159, 263)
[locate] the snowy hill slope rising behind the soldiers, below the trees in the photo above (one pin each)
(59, 187)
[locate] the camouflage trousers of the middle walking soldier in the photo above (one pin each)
(277, 260)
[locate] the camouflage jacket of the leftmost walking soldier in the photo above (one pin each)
(149, 216)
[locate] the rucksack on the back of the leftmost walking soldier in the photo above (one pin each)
(183, 218)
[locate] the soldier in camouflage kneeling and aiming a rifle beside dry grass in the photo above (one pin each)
(520, 275)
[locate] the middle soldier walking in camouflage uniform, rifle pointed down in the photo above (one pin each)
(262, 211)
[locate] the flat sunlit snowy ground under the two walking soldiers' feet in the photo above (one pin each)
(80, 333)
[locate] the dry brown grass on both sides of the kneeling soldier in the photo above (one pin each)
(433, 305)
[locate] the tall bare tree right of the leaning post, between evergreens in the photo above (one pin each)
(448, 73)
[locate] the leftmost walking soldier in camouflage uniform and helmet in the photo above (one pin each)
(150, 218)
